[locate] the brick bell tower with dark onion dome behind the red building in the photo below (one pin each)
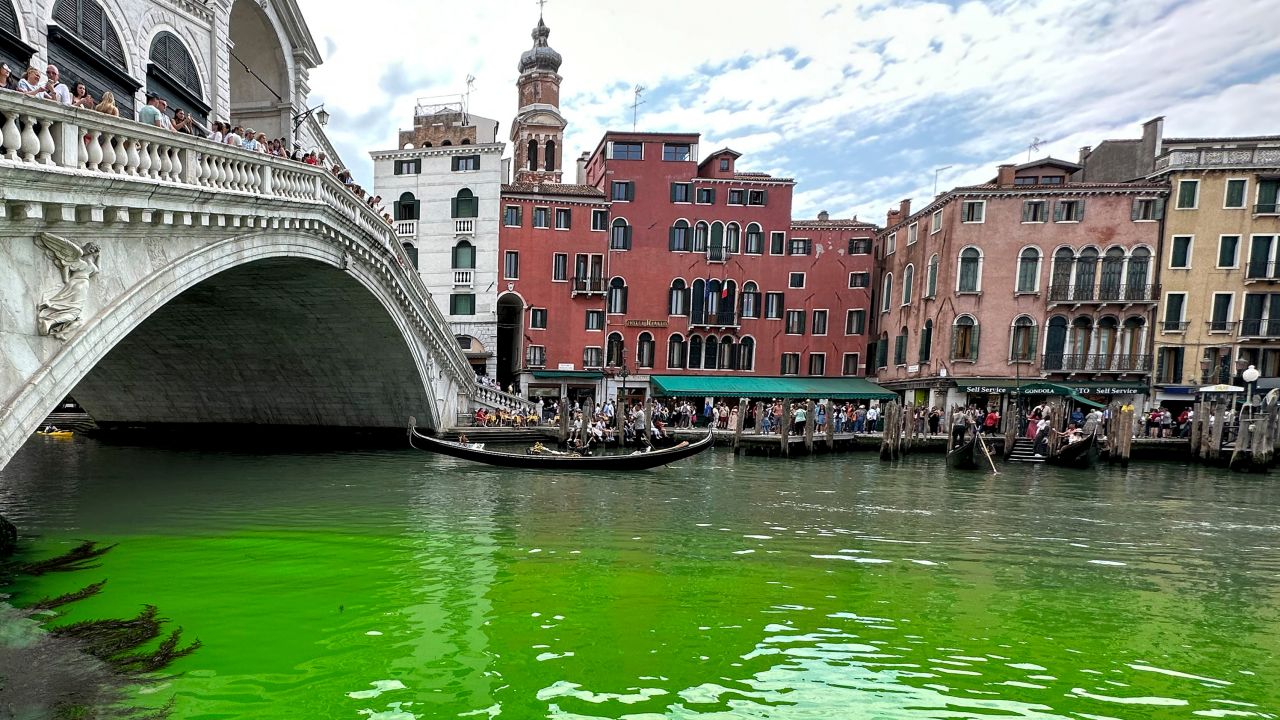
(538, 131)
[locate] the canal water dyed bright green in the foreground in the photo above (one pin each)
(395, 586)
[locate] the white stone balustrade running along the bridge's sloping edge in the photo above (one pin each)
(45, 136)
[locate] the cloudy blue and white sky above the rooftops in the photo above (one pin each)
(860, 101)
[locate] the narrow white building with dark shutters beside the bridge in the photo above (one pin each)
(445, 188)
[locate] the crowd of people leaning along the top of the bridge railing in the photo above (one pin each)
(51, 86)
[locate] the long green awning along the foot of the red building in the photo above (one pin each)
(712, 386)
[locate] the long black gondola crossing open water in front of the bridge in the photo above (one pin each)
(561, 462)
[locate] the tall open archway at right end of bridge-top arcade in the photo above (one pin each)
(260, 88)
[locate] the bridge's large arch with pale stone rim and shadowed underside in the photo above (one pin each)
(344, 352)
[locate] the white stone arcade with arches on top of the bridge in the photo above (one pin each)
(240, 61)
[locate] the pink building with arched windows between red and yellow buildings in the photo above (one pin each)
(1028, 277)
